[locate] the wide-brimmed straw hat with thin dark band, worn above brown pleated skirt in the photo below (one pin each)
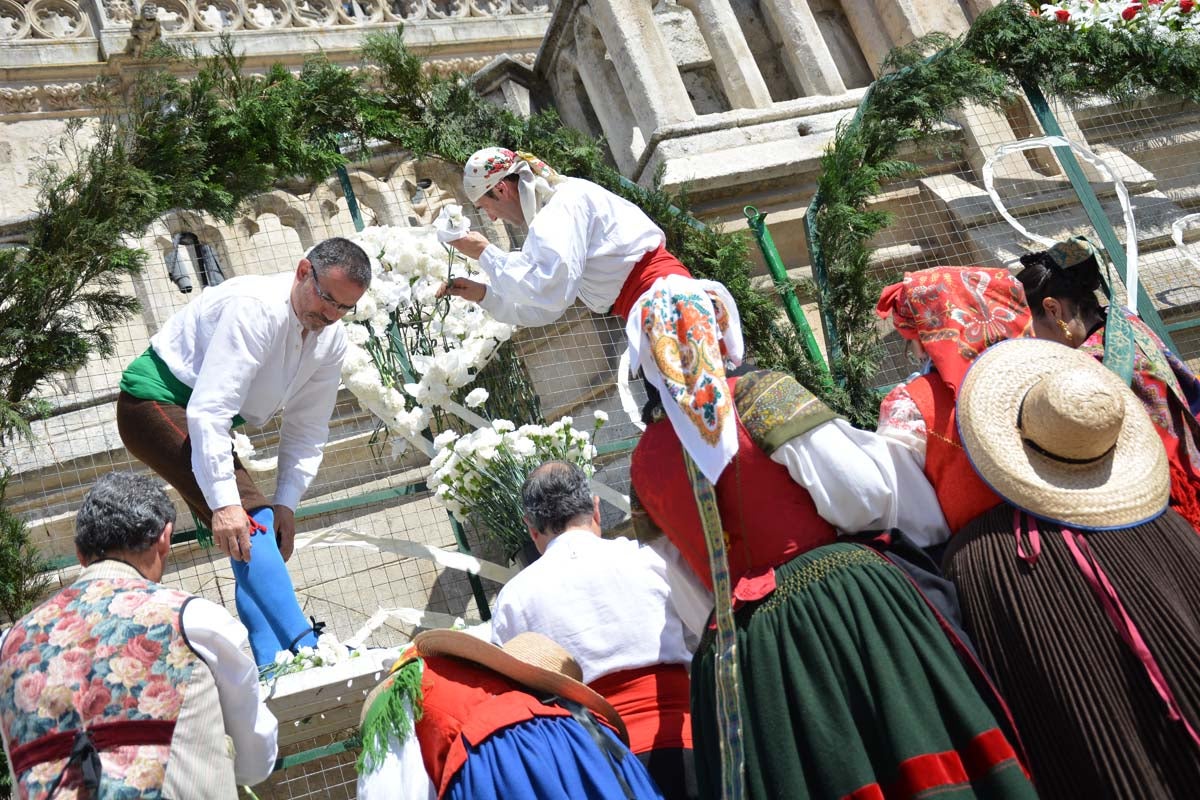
(1059, 436)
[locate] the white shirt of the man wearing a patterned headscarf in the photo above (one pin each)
(583, 244)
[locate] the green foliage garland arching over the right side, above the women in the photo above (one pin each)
(1005, 50)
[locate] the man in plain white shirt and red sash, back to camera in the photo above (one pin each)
(607, 601)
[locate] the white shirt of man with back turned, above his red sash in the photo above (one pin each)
(605, 600)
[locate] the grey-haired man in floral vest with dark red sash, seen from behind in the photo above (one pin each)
(124, 687)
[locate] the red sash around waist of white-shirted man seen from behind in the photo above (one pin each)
(655, 703)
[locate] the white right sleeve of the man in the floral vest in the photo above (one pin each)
(221, 642)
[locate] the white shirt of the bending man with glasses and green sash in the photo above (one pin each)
(239, 347)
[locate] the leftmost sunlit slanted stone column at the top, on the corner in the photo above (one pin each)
(651, 77)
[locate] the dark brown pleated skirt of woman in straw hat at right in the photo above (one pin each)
(1089, 717)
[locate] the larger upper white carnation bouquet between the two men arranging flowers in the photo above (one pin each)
(411, 351)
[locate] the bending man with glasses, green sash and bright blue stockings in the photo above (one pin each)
(239, 353)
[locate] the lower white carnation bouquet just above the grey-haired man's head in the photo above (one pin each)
(479, 476)
